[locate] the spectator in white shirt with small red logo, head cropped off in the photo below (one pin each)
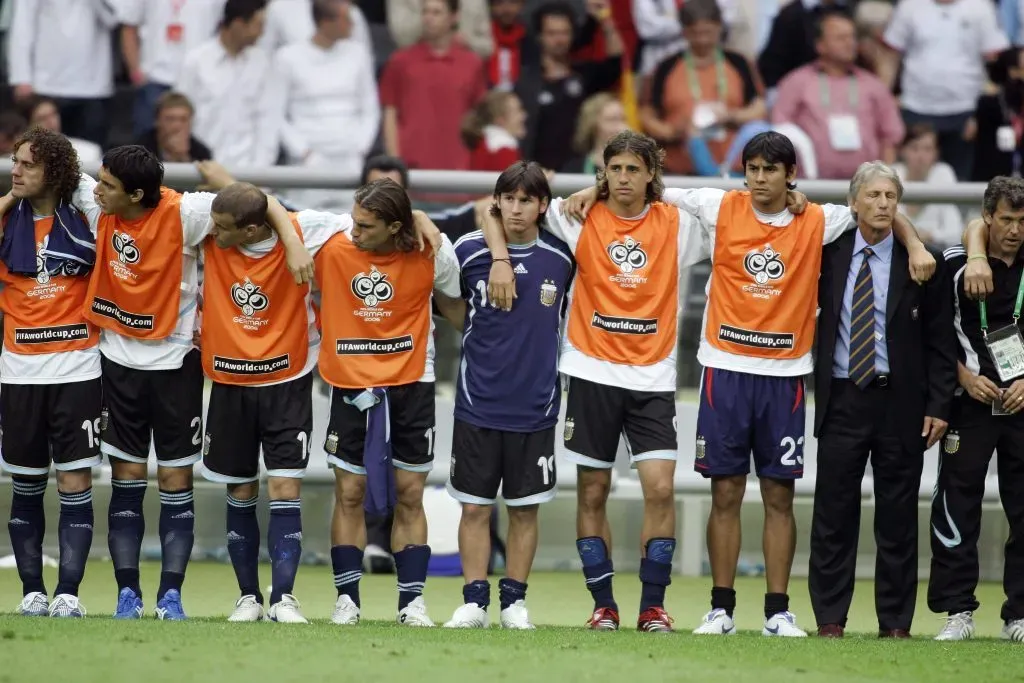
(156, 35)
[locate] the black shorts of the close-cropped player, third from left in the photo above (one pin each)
(240, 420)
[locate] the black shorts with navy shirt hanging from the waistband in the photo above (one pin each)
(413, 429)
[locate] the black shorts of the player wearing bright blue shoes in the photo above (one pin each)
(167, 404)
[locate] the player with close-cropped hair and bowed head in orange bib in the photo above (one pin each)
(260, 348)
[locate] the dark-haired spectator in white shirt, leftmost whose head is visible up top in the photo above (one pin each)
(227, 80)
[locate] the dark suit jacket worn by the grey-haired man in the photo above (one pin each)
(920, 334)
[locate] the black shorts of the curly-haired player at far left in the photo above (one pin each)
(45, 422)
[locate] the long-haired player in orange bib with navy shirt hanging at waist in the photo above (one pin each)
(378, 358)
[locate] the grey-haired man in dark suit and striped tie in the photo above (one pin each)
(885, 375)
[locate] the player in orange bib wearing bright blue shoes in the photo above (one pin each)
(153, 378)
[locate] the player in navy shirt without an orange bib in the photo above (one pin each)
(508, 394)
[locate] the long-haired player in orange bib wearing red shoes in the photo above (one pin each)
(620, 354)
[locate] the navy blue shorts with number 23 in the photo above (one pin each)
(743, 413)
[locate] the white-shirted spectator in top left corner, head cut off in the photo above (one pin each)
(62, 49)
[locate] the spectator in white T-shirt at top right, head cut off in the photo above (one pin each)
(945, 46)
